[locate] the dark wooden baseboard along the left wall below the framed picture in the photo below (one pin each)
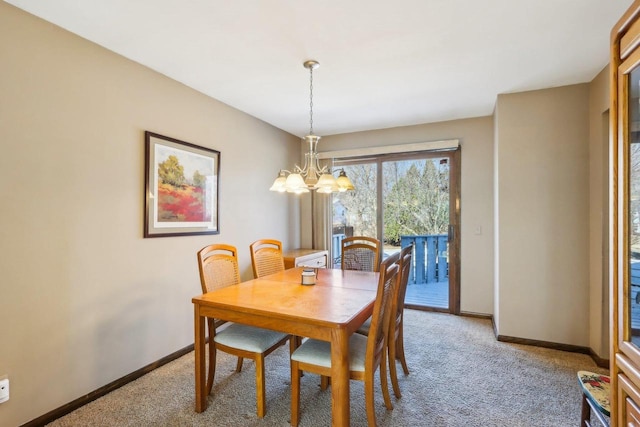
(88, 398)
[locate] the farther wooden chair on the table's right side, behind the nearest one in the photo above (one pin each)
(396, 336)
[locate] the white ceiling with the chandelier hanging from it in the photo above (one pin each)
(384, 63)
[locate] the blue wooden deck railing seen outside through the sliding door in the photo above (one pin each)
(430, 256)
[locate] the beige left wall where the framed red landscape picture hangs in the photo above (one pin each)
(84, 299)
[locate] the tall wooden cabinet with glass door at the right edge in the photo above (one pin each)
(625, 242)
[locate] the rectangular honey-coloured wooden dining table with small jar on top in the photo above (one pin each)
(331, 310)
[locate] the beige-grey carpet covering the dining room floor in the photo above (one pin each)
(460, 376)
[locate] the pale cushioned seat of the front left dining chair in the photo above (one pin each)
(248, 338)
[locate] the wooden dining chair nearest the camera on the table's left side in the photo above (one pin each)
(218, 265)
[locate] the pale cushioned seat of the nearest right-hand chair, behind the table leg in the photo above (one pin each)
(319, 353)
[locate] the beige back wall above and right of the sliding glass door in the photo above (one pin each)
(476, 139)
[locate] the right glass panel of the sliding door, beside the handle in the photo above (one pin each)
(415, 200)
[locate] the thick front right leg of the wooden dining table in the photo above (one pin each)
(340, 397)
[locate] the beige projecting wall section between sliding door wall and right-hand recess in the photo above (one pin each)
(543, 209)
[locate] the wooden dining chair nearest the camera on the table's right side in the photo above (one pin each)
(366, 354)
